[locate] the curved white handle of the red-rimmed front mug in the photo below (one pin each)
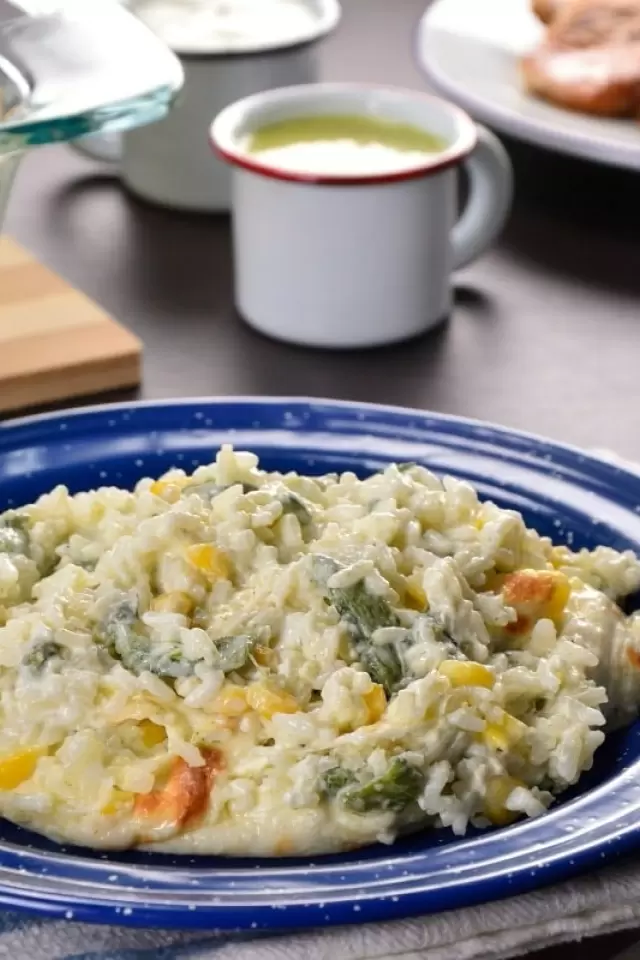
(490, 195)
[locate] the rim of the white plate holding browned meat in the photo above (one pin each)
(600, 150)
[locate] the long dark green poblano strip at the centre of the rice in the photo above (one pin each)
(364, 613)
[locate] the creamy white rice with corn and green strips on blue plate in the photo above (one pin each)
(512, 654)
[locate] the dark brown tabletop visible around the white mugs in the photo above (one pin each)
(545, 334)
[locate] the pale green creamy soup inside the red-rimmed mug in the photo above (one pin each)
(342, 144)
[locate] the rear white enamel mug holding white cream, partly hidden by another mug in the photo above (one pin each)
(169, 163)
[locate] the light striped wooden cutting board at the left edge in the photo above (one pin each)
(55, 343)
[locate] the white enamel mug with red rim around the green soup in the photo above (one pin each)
(360, 259)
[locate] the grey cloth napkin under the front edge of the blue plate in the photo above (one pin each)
(600, 903)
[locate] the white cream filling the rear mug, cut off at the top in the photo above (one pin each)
(219, 26)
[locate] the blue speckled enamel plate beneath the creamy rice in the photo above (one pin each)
(574, 498)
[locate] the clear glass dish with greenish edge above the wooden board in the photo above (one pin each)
(88, 67)
